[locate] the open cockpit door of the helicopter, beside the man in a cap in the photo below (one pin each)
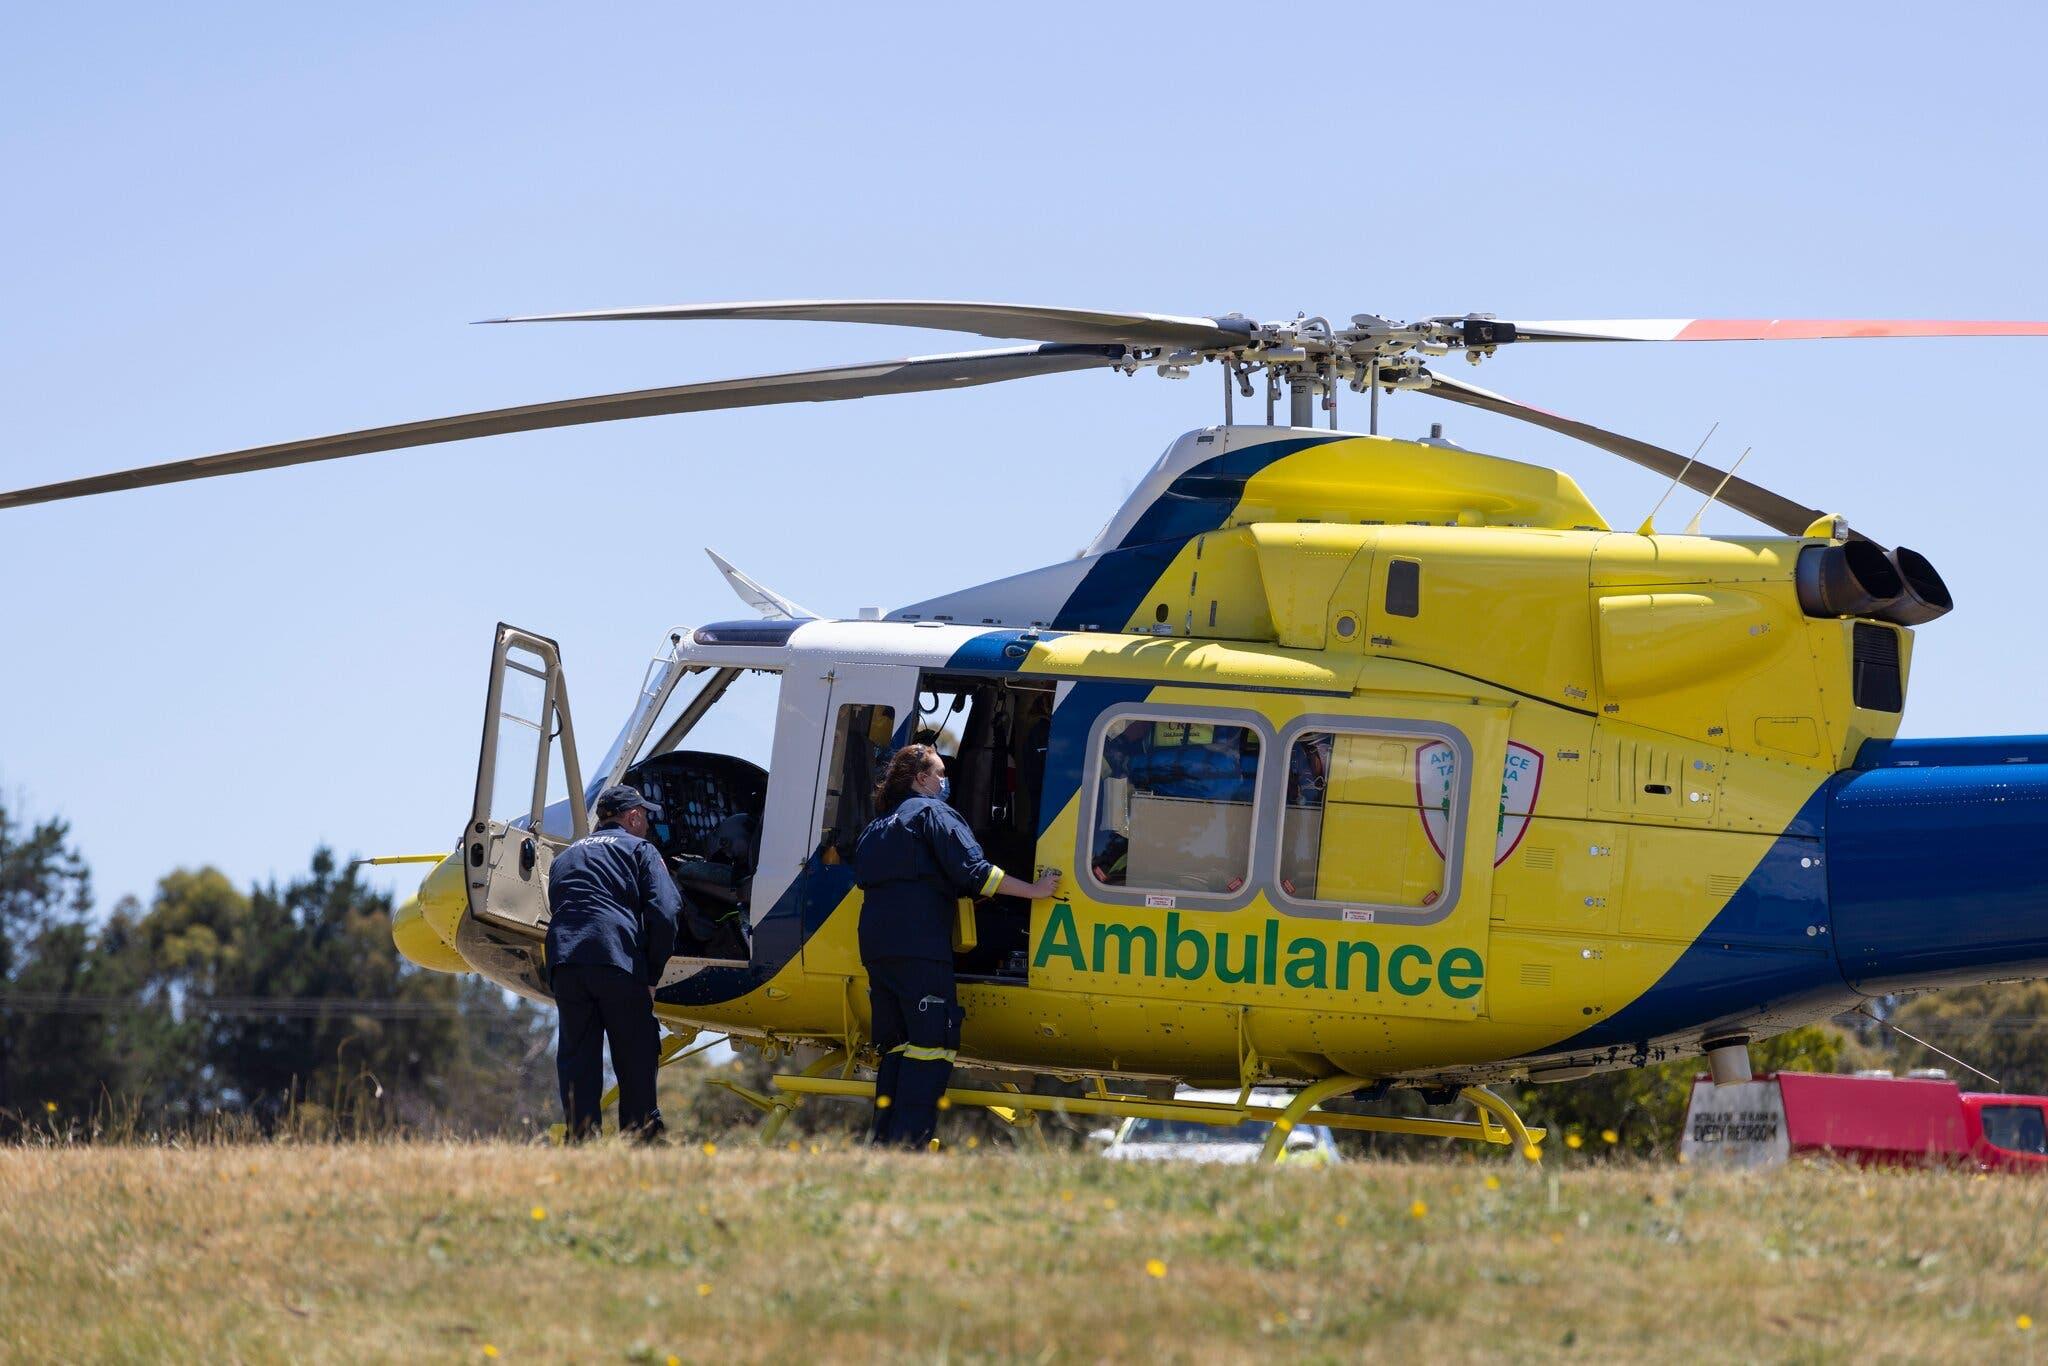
(529, 802)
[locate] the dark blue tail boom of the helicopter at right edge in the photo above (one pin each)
(1938, 863)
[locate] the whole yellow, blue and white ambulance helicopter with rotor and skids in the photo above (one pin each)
(1377, 763)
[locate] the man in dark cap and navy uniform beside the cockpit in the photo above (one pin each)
(611, 931)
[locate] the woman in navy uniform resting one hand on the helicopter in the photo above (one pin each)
(912, 865)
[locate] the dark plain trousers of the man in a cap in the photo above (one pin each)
(597, 1005)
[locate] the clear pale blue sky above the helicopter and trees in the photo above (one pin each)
(243, 224)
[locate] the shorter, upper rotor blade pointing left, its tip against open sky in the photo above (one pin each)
(1007, 321)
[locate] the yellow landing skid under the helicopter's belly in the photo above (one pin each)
(1011, 1107)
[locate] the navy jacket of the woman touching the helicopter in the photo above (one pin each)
(912, 867)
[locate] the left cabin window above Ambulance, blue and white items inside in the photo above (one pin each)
(1175, 802)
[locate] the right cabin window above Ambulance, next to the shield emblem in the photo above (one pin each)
(1369, 820)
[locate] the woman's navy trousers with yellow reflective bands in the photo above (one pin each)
(919, 1031)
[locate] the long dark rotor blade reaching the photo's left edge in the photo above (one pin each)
(845, 382)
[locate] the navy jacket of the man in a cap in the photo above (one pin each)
(613, 904)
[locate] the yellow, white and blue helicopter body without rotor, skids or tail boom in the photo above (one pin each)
(1361, 759)
